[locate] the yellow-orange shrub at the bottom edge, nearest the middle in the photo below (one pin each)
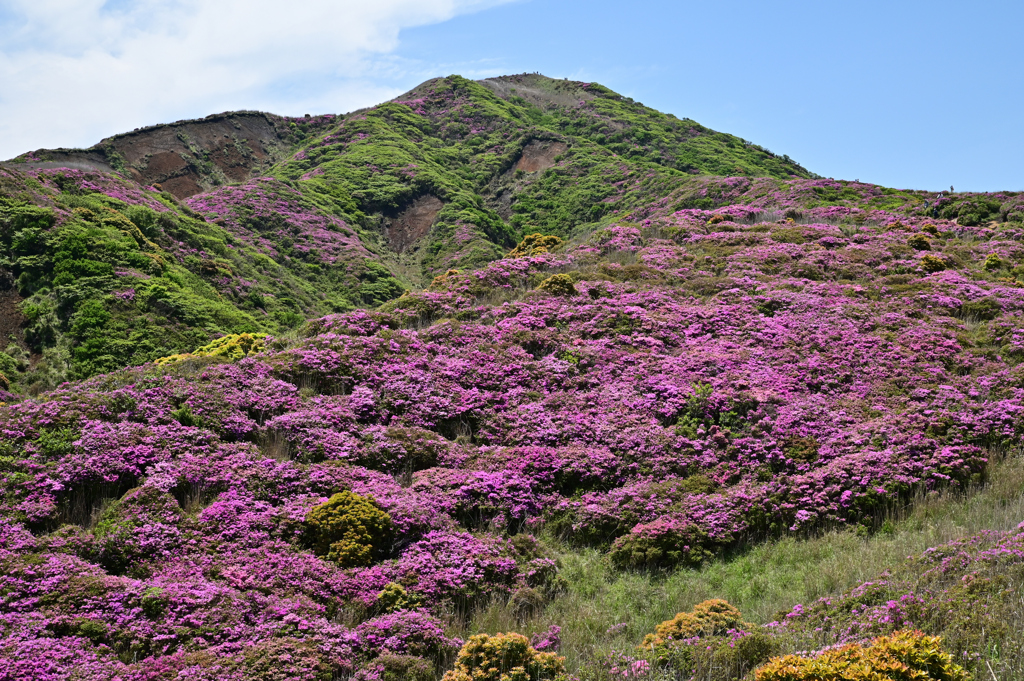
(504, 658)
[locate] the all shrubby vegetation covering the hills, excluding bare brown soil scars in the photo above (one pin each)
(741, 418)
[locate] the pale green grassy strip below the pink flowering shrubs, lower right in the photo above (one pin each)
(762, 581)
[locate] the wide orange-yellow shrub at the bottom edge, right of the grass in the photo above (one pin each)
(907, 656)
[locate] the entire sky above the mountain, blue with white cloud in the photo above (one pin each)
(911, 95)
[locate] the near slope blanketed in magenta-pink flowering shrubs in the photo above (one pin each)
(664, 391)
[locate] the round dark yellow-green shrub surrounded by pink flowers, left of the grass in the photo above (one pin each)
(349, 530)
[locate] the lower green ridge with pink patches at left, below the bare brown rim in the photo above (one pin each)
(99, 274)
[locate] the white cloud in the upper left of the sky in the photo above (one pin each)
(75, 71)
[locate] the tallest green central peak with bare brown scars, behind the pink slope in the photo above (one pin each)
(453, 173)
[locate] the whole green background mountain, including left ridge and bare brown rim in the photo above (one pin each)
(102, 270)
